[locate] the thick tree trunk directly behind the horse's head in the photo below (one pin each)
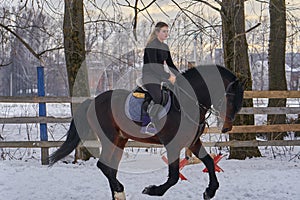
(236, 59)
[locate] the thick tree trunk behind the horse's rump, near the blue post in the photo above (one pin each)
(74, 44)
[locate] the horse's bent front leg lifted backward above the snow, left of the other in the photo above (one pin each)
(173, 164)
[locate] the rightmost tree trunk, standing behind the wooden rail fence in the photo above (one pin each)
(277, 78)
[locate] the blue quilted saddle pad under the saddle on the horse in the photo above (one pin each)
(133, 108)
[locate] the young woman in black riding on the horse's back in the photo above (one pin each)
(157, 54)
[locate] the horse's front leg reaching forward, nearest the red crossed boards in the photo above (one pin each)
(200, 152)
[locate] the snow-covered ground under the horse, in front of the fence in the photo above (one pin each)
(259, 178)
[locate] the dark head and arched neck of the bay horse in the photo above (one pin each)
(210, 83)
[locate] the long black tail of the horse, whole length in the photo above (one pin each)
(73, 138)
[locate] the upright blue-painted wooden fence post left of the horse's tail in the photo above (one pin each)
(42, 113)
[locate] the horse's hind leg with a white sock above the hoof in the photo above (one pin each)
(108, 163)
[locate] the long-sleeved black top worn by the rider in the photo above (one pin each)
(155, 54)
